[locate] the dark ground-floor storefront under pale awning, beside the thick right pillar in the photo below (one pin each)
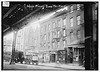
(76, 54)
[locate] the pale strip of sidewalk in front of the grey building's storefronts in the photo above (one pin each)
(67, 66)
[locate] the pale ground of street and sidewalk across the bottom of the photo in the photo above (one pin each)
(42, 66)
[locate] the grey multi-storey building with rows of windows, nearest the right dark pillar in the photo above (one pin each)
(62, 36)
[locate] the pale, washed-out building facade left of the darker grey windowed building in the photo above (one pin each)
(28, 40)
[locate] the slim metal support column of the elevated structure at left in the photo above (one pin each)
(13, 46)
